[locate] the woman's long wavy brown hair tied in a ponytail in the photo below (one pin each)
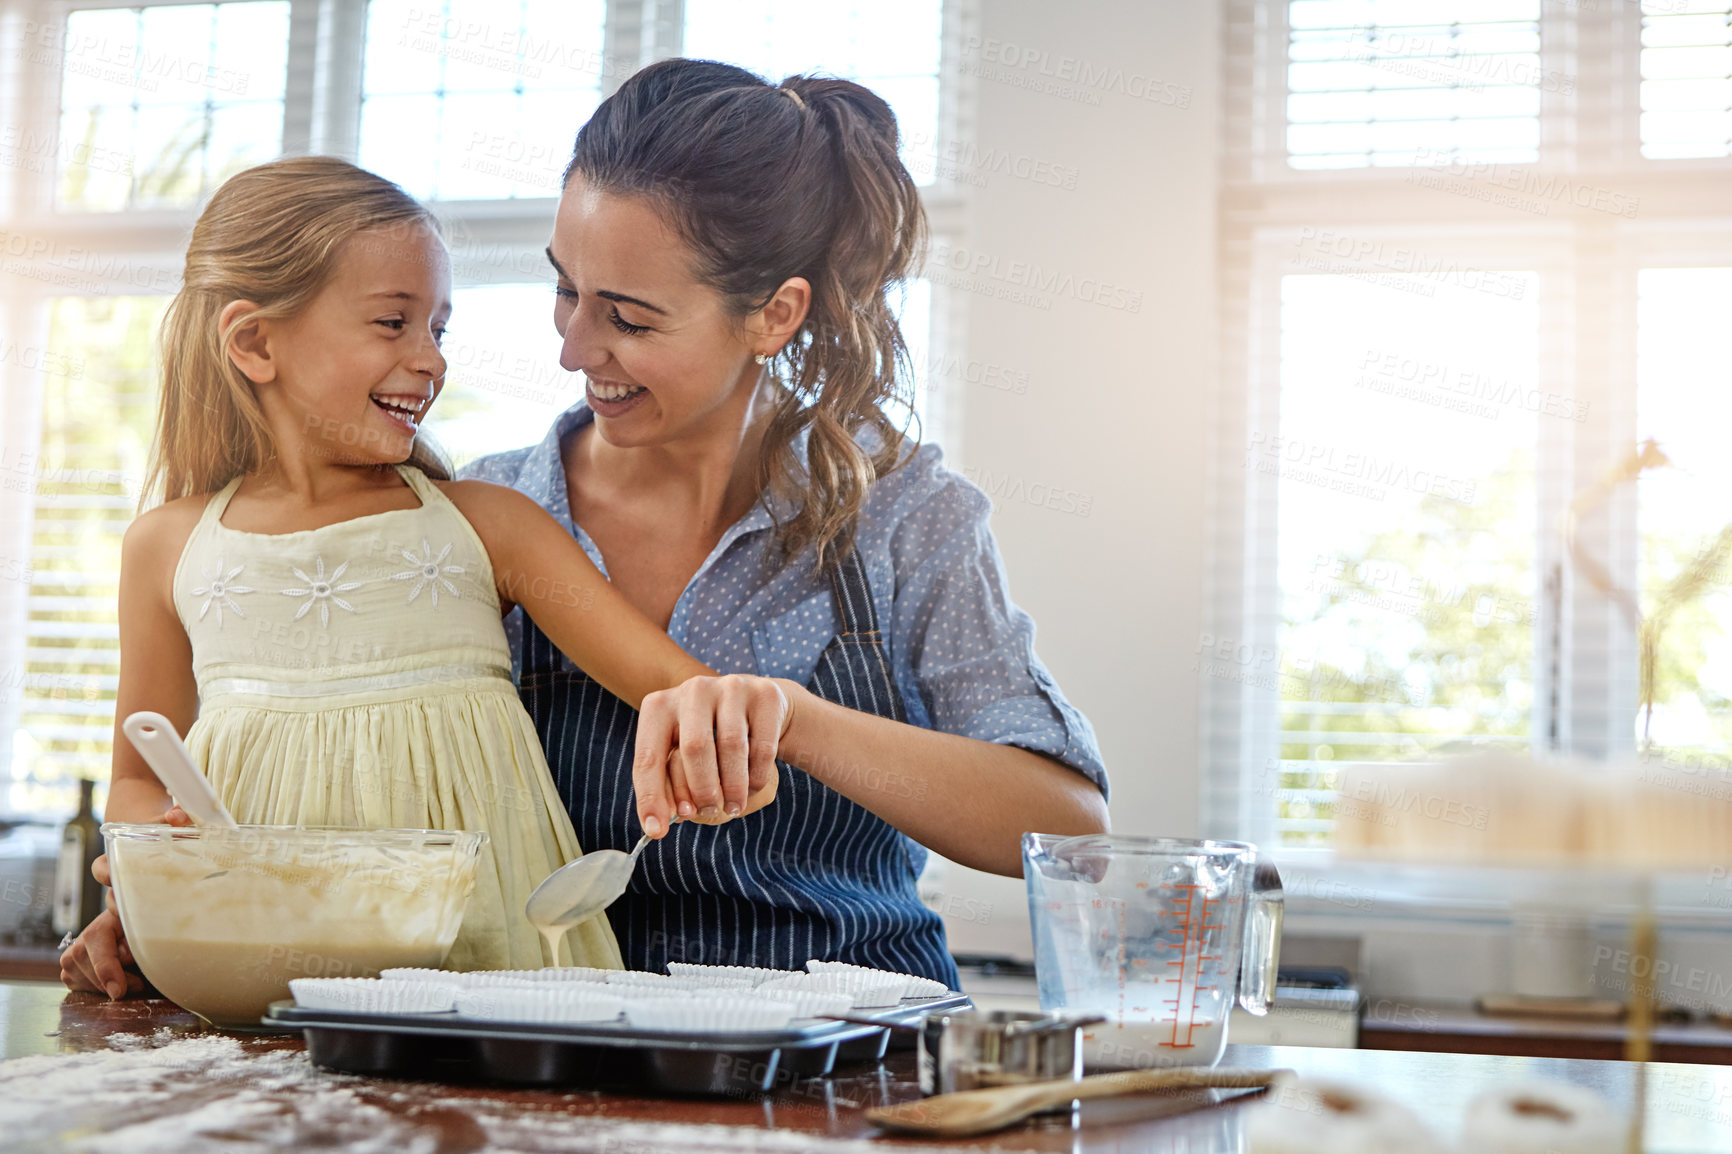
(773, 183)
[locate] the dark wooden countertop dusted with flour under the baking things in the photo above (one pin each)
(100, 1084)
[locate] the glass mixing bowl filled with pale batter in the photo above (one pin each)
(221, 919)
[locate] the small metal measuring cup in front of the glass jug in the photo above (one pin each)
(979, 1049)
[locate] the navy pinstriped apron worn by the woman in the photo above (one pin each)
(811, 876)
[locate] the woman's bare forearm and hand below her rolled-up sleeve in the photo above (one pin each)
(962, 798)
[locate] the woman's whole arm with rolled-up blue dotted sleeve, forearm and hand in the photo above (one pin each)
(960, 779)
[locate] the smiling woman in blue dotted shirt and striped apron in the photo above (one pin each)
(725, 254)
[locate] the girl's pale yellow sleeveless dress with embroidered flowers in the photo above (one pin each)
(358, 677)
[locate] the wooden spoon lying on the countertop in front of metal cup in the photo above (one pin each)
(981, 1112)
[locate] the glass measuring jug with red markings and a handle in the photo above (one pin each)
(1158, 935)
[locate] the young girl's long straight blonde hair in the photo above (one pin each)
(271, 235)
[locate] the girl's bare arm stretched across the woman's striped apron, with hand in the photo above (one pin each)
(541, 567)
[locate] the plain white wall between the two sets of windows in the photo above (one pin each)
(1116, 410)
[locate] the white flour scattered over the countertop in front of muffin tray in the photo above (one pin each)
(216, 1094)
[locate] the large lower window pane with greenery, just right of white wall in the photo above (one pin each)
(1406, 524)
